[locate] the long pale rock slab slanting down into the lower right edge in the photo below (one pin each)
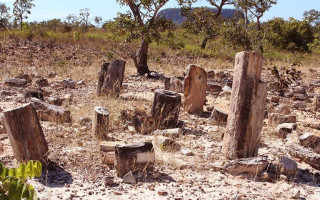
(304, 154)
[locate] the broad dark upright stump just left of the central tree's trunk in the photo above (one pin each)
(111, 78)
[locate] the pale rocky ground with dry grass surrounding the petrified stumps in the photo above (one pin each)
(75, 170)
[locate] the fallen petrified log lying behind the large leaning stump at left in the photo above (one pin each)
(52, 113)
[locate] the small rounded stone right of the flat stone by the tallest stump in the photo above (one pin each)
(287, 166)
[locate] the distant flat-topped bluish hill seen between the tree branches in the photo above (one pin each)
(177, 18)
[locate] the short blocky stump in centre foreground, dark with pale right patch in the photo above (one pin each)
(134, 157)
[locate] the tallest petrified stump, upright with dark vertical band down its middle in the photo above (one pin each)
(248, 101)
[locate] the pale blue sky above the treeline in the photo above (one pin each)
(107, 9)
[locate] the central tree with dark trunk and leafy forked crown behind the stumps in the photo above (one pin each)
(142, 23)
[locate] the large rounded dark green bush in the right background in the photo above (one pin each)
(293, 35)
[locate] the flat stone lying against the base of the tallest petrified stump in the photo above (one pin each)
(250, 166)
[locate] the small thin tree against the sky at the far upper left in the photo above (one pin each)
(21, 10)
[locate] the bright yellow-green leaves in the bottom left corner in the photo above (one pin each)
(13, 181)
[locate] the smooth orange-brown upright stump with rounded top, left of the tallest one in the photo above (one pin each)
(195, 87)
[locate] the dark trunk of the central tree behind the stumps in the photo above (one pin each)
(141, 60)
